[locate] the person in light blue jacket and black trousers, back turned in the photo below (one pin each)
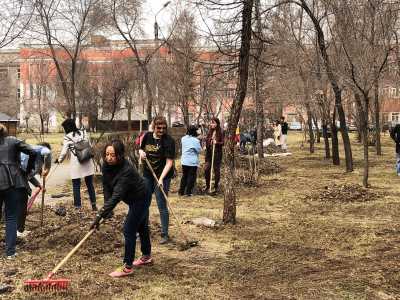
(190, 161)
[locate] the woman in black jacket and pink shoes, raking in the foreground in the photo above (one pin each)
(121, 181)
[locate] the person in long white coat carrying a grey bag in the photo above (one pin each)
(78, 170)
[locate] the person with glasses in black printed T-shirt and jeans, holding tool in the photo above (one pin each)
(159, 149)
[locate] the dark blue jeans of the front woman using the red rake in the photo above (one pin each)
(137, 220)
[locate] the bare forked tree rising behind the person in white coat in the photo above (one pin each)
(65, 27)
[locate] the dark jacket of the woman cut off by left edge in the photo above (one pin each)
(11, 175)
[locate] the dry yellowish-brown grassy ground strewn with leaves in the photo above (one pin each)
(308, 232)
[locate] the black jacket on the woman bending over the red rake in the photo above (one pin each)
(121, 182)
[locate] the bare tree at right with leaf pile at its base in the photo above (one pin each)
(365, 32)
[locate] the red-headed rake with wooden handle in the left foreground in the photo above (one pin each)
(49, 284)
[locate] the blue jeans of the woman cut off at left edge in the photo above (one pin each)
(10, 197)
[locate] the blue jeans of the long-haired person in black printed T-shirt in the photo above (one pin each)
(161, 202)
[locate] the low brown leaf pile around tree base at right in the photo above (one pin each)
(344, 193)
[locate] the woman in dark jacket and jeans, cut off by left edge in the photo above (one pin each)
(13, 184)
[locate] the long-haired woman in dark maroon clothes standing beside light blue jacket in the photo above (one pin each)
(214, 136)
